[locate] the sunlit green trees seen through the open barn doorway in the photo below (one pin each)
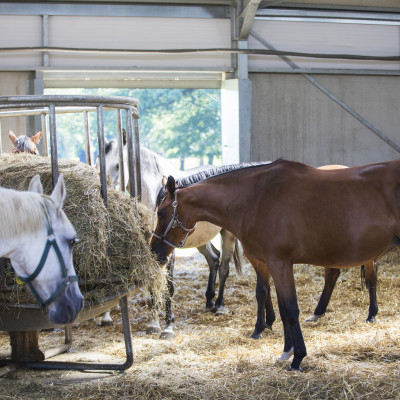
(176, 123)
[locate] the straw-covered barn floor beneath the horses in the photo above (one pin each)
(212, 356)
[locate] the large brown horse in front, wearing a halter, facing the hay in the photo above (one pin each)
(285, 213)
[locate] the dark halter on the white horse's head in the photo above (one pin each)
(67, 279)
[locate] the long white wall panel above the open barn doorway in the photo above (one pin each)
(139, 33)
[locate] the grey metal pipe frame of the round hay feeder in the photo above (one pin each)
(53, 105)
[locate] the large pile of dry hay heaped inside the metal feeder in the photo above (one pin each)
(129, 263)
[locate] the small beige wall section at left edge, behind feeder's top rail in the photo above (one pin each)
(12, 83)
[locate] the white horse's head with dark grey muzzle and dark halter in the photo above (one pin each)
(42, 255)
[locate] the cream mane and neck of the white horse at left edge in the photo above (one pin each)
(20, 212)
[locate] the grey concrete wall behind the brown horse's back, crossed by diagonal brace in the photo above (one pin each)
(295, 120)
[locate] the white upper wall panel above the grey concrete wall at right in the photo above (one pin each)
(319, 37)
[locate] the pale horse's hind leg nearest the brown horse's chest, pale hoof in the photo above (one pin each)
(228, 247)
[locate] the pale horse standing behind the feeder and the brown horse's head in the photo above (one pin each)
(154, 168)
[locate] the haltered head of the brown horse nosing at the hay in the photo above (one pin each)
(172, 230)
